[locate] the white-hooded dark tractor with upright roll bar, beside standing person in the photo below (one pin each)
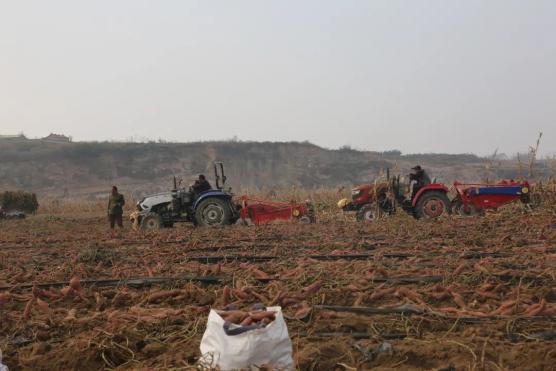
(209, 208)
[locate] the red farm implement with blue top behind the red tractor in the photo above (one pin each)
(475, 198)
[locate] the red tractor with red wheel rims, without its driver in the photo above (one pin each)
(370, 201)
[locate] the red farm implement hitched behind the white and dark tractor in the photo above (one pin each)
(257, 211)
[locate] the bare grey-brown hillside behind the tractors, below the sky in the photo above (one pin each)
(80, 168)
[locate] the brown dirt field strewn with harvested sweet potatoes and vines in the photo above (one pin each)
(457, 294)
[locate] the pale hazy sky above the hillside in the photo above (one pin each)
(419, 76)
